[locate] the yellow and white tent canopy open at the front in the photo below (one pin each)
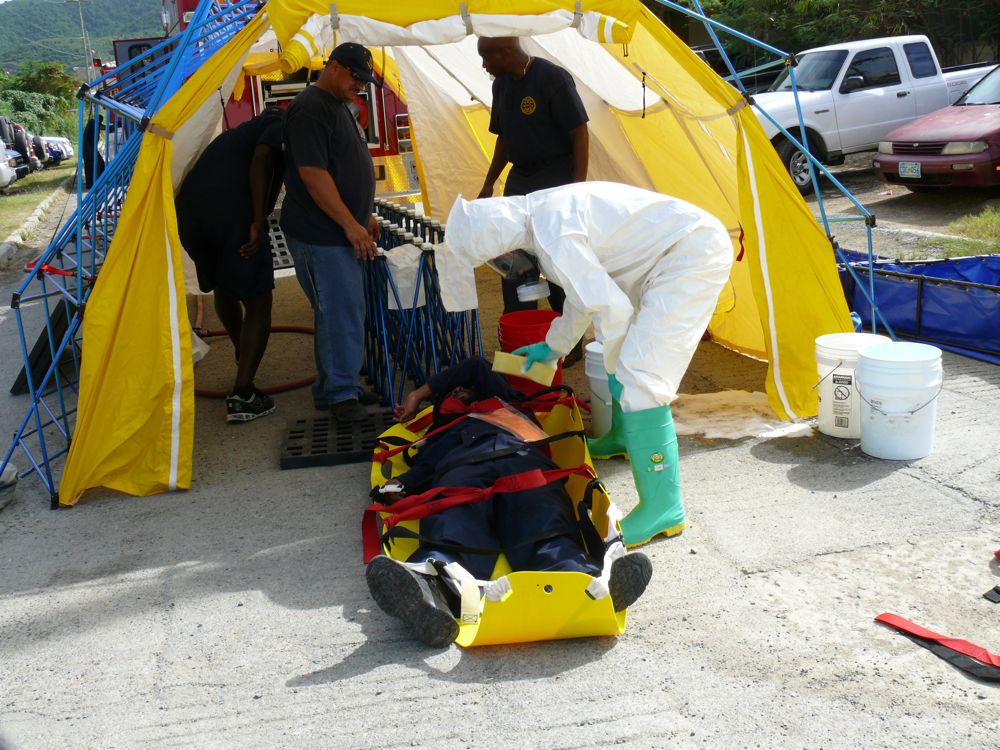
(659, 119)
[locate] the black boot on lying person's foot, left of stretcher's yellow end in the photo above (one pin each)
(414, 598)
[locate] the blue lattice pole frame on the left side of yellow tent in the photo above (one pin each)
(71, 262)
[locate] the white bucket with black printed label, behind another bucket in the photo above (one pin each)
(839, 405)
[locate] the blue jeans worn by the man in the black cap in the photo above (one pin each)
(332, 279)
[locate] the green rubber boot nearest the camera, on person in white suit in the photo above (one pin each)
(652, 447)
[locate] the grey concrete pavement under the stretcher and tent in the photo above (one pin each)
(236, 614)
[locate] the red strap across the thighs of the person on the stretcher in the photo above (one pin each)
(438, 499)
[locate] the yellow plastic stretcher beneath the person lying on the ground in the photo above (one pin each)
(539, 605)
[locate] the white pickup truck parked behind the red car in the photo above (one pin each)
(853, 94)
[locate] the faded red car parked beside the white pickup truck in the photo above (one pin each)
(956, 146)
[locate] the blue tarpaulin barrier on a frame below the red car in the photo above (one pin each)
(952, 303)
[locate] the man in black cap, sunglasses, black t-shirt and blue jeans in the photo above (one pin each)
(327, 220)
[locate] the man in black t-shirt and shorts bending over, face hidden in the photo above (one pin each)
(222, 210)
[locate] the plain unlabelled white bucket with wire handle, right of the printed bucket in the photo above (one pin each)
(899, 384)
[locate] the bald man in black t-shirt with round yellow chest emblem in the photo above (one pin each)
(541, 128)
